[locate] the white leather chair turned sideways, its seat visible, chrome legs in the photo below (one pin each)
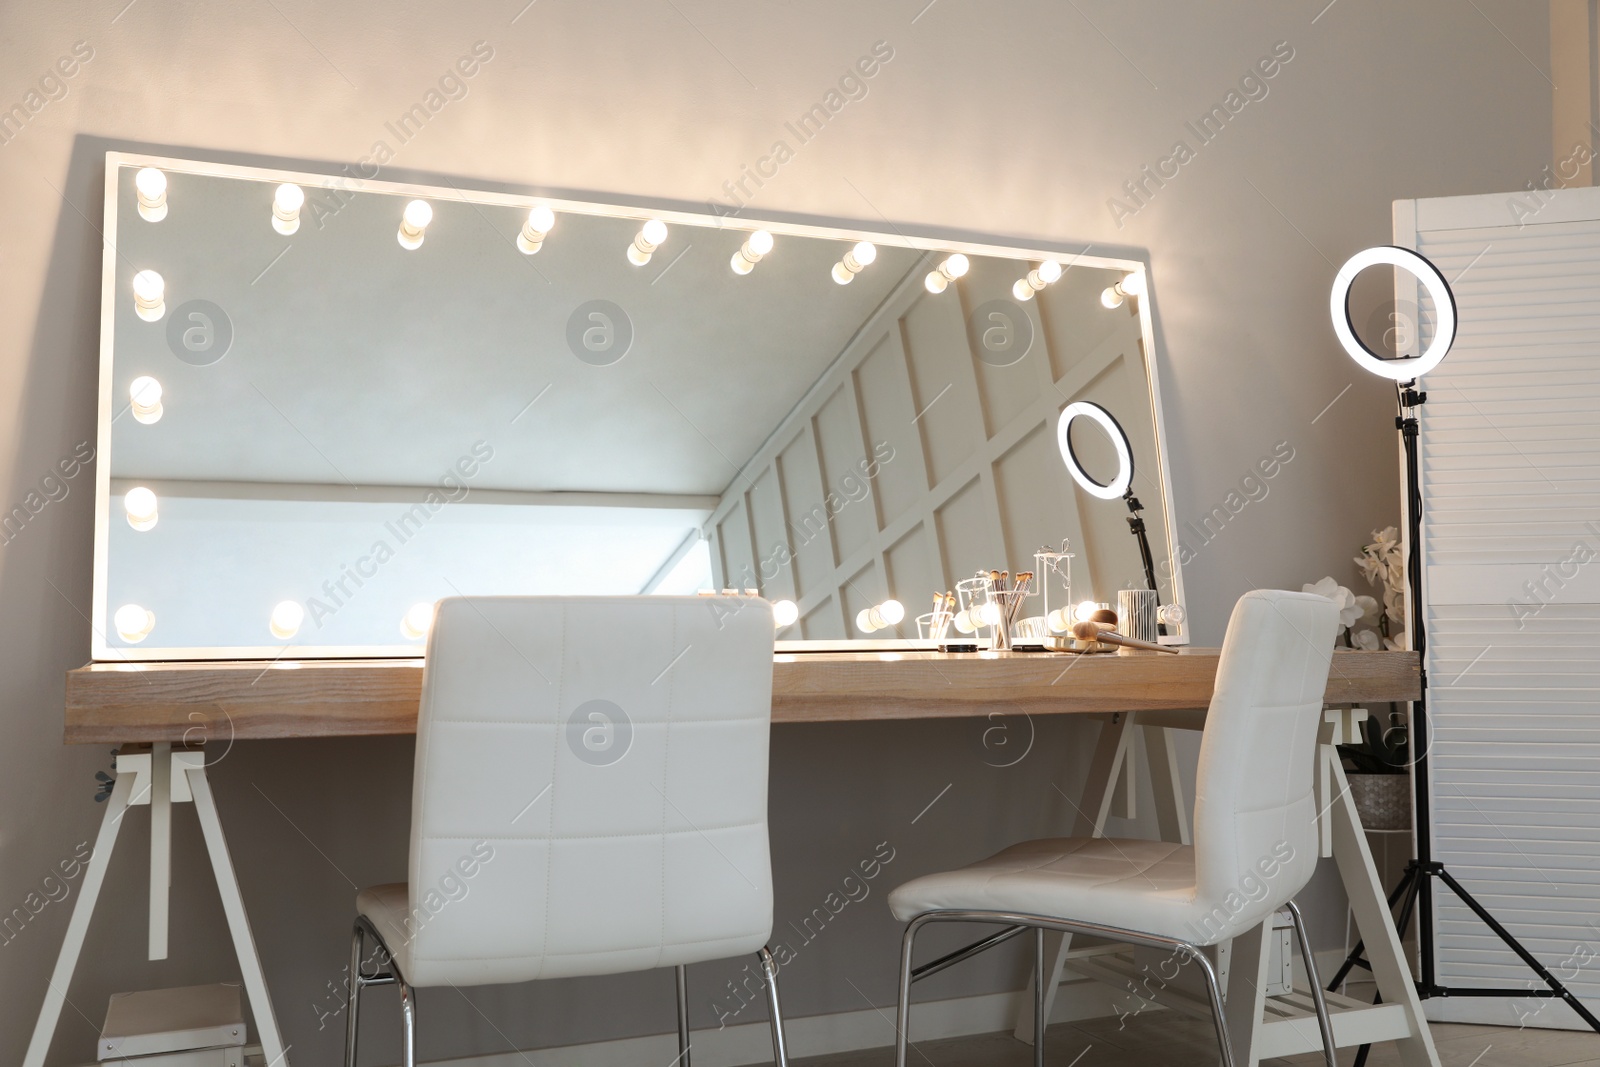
(1255, 833)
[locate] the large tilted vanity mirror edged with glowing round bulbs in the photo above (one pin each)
(329, 404)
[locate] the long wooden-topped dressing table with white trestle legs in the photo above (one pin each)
(177, 708)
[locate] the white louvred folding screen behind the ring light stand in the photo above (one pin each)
(1511, 549)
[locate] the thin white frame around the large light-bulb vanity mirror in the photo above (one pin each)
(921, 241)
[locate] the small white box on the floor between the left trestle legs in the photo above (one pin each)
(196, 1026)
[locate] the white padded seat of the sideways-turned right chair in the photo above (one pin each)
(1146, 887)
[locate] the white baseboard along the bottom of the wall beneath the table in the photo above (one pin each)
(818, 1036)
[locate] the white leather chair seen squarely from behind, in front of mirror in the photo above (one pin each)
(590, 797)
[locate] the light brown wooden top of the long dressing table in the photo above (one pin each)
(345, 698)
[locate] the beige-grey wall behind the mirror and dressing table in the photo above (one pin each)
(1020, 119)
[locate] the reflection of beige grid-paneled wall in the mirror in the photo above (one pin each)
(929, 452)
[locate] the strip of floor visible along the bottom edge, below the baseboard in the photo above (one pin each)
(1170, 1042)
